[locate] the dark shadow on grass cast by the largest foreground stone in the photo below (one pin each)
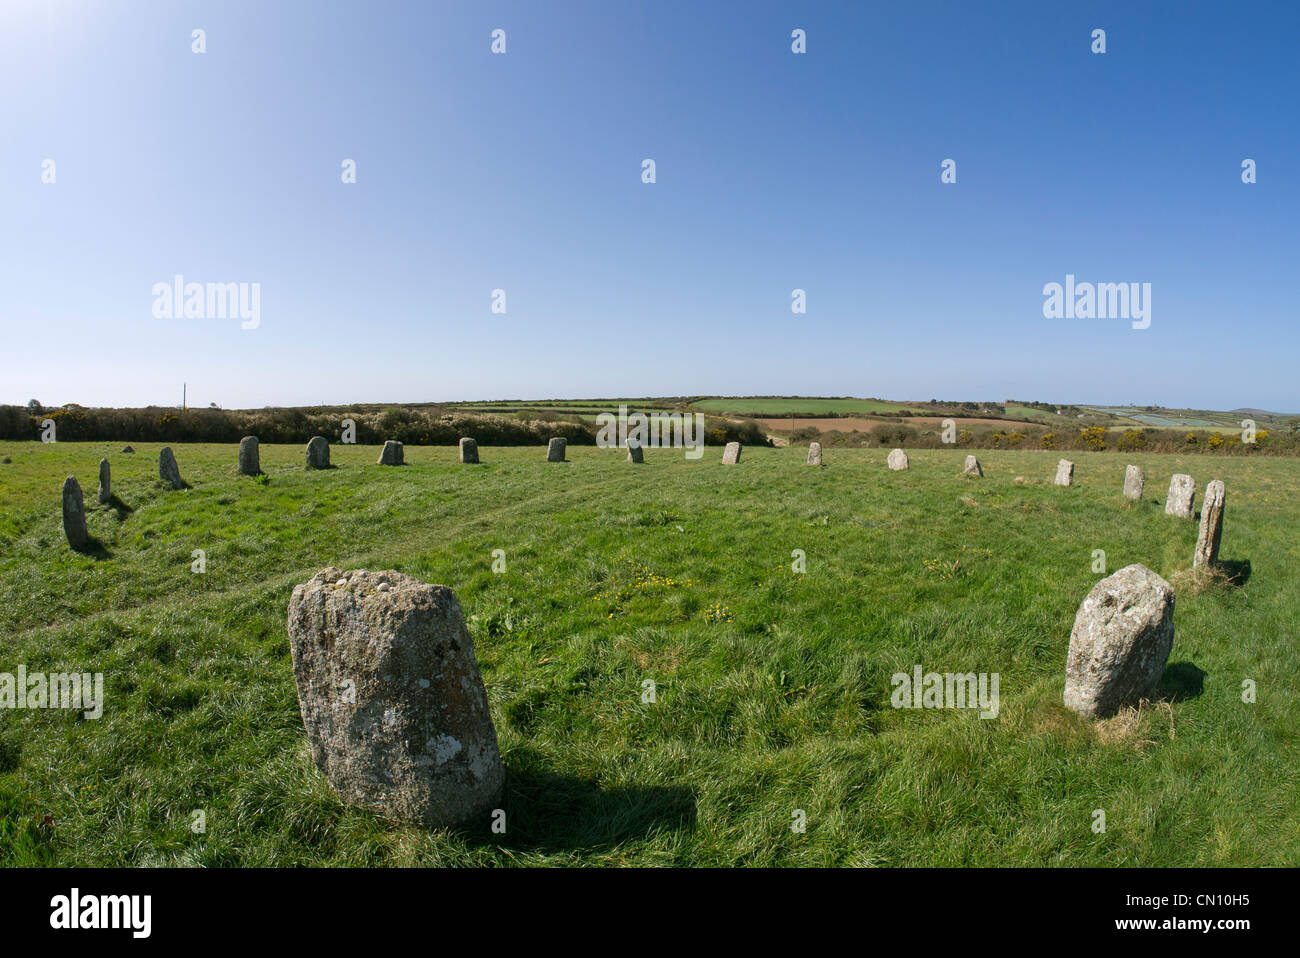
(556, 813)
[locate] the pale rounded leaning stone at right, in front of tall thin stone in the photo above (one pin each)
(1120, 644)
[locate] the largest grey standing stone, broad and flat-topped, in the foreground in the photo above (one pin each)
(414, 739)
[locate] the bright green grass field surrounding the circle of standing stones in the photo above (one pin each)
(774, 688)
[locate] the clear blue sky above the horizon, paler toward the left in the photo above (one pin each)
(523, 172)
